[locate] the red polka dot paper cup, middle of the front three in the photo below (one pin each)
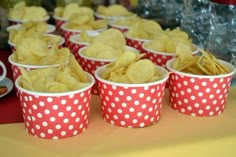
(131, 105)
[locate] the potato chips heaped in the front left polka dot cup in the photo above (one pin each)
(67, 77)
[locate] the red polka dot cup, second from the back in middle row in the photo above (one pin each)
(67, 32)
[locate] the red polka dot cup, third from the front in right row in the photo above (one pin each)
(135, 42)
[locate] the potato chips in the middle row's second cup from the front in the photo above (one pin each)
(109, 44)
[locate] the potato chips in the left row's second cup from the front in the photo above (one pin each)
(34, 51)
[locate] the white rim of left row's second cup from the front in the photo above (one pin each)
(31, 66)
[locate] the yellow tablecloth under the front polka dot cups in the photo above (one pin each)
(175, 135)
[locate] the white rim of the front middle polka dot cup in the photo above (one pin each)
(164, 72)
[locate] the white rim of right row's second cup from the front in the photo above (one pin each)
(166, 53)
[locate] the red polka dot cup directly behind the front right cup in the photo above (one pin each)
(161, 58)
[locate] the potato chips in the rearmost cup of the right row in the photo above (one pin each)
(113, 10)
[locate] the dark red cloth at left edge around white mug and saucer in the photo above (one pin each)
(10, 109)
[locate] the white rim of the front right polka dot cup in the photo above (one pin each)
(232, 69)
